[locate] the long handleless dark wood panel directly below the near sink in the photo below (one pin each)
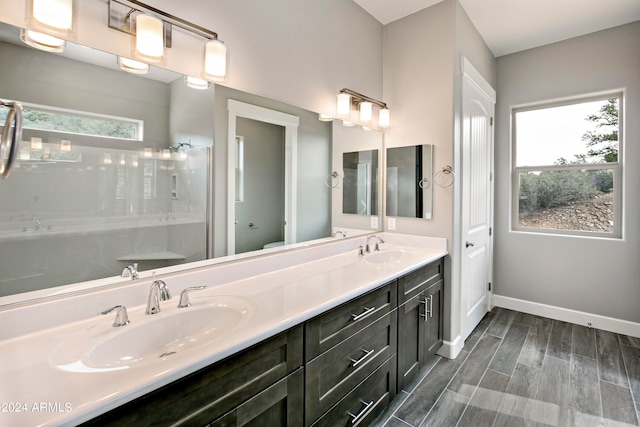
(215, 390)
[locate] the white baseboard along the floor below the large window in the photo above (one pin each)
(597, 321)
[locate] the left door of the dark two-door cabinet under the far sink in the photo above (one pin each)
(411, 338)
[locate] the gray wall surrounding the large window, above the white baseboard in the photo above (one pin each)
(600, 276)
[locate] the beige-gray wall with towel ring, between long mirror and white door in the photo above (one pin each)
(422, 89)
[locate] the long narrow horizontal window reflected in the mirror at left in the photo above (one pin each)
(79, 123)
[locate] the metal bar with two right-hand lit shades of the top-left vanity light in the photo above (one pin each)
(148, 26)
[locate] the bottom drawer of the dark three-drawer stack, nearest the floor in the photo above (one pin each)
(368, 400)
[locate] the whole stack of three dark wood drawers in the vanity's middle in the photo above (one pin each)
(343, 347)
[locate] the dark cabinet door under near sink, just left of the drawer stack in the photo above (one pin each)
(278, 405)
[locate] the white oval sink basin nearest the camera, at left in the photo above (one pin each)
(153, 338)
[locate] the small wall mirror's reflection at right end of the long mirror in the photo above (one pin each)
(360, 192)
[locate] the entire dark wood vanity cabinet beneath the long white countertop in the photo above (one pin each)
(340, 368)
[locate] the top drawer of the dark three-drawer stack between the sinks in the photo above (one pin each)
(330, 328)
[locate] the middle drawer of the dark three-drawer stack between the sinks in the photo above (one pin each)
(333, 374)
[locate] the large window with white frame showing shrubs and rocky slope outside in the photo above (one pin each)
(567, 176)
